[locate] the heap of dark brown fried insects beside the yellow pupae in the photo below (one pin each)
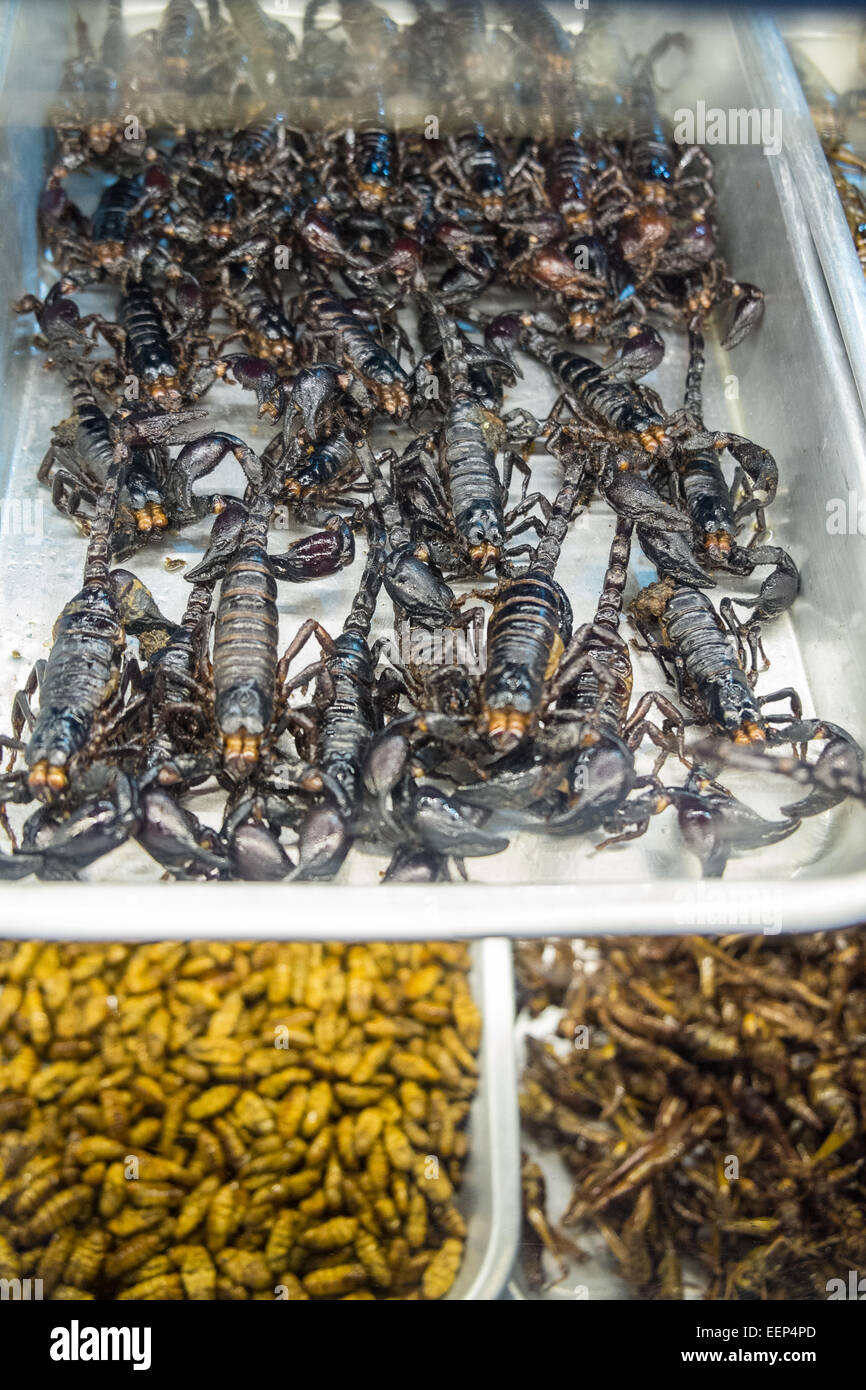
(708, 1102)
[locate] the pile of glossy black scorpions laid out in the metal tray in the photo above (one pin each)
(313, 251)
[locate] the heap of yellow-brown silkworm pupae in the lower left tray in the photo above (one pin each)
(234, 1120)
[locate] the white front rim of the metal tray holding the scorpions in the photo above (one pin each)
(401, 913)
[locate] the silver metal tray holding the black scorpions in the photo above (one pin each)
(796, 394)
